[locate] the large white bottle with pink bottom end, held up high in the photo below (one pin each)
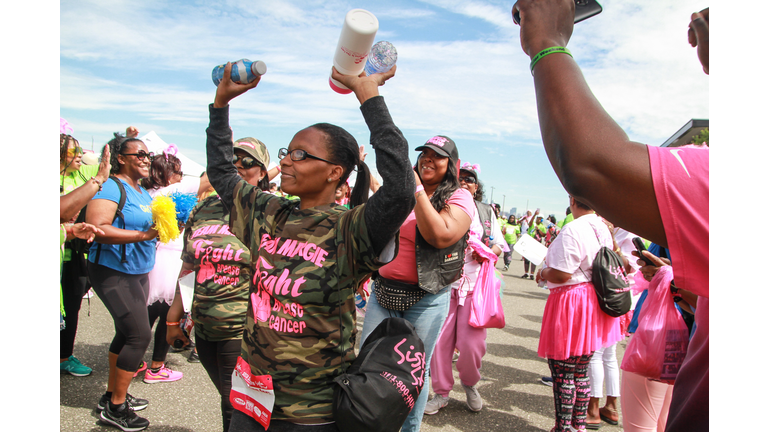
(357, 34)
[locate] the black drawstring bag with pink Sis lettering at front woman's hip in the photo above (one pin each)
(380, 388)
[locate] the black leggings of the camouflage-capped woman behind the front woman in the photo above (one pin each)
(219, 360)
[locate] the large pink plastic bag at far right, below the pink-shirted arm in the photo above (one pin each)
(659, 345)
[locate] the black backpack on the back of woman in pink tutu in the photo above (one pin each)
(611, 282)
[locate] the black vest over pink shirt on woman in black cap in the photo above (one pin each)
(438, 268)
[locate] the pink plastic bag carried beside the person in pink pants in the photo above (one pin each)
(486, 310)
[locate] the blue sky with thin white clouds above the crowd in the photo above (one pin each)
(461, 73)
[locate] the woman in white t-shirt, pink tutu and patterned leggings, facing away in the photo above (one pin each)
(573, 326)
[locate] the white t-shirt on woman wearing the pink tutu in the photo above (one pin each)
(575, 248)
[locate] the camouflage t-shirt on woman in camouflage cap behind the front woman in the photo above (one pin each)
(222, 272)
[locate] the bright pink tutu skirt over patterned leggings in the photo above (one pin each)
(574, 325)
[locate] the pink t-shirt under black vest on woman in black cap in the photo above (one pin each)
(403, 267)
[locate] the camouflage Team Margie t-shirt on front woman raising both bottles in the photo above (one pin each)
(303, 261)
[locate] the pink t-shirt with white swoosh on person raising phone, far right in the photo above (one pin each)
(681, 182)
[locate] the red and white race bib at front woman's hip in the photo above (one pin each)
(252, 395)
